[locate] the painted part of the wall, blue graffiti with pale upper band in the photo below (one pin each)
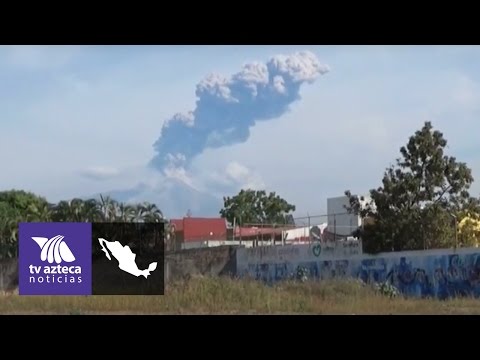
(432, 273)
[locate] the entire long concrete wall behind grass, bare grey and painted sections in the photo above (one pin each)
(440, 273)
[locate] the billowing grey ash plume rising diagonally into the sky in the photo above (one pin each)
(226, 108)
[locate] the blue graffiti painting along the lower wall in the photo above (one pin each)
(440, 276)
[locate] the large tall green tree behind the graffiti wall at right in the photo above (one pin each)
(419, 200)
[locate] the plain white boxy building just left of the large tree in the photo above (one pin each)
(340, 221)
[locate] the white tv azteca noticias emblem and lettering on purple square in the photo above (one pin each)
(55, 250)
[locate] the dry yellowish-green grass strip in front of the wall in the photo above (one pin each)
(227, 296)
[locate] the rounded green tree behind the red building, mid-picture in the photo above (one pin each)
(256, 207)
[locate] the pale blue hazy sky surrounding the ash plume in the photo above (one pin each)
(82, 120)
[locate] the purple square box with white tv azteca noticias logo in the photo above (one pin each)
(55, 258)
